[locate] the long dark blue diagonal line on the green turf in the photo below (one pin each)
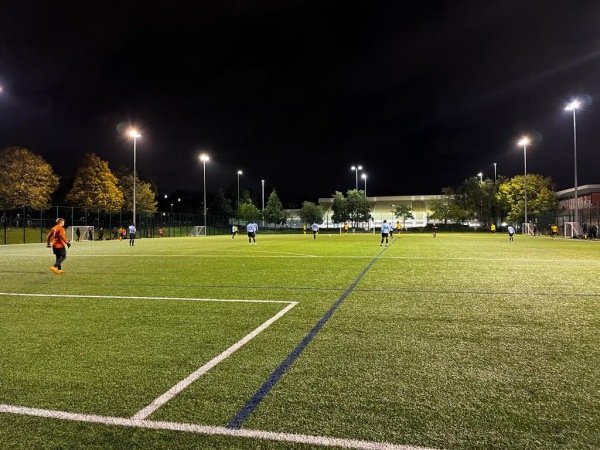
(243, 414)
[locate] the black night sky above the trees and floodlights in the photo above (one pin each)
(422, 94)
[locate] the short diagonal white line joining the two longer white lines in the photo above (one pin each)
(164, 398)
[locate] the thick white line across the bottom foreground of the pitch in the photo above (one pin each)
(209, 430)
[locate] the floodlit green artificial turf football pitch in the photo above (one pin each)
(466, 341)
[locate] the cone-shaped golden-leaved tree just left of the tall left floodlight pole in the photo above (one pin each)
(95, 186)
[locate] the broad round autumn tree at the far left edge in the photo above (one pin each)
(26, 179)
